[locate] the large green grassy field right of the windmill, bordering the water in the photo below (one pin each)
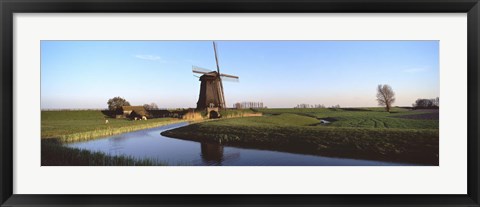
(353, 133)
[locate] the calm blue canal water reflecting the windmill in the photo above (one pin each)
(150, 144)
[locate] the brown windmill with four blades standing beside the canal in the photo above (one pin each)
(211, 87)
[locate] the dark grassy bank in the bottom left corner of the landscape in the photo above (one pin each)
(55, 154)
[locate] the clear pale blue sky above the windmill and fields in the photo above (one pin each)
(85, 74)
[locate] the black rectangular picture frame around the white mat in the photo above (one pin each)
(9, 7)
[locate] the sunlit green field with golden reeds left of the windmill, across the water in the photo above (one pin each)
(71, 126)
